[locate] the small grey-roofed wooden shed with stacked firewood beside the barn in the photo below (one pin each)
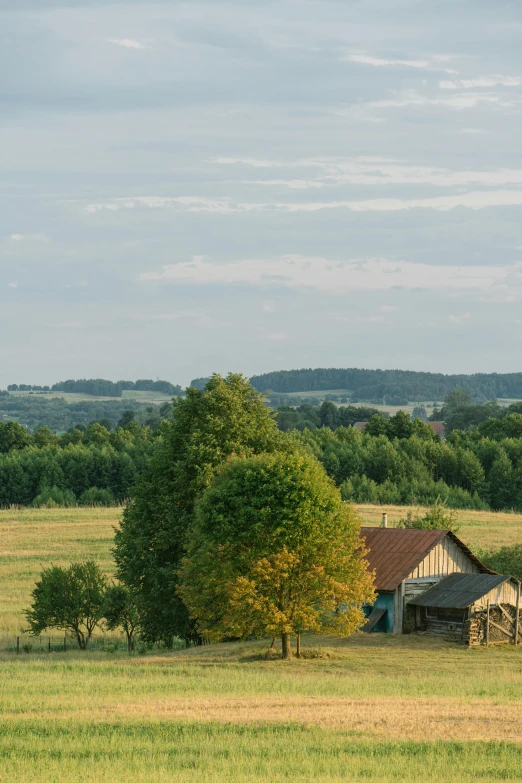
(460, 606)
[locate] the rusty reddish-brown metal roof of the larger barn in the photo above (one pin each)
(395, 552)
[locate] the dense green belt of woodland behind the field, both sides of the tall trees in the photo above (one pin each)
(396, 460)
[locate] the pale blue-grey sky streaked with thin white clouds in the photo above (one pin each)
(251, 185)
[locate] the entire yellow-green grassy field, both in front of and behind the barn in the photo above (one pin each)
(378, 707)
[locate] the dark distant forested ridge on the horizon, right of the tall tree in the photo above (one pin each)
(392, 387)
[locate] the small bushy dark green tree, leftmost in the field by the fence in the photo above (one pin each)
(70, 599)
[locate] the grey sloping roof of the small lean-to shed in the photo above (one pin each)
(458, 591)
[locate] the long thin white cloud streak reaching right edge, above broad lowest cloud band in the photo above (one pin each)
(475, 200)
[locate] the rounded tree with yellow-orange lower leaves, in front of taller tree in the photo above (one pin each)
(274, 551)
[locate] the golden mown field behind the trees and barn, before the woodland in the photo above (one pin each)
(31, 539)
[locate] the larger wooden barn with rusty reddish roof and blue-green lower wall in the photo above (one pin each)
(407, 563)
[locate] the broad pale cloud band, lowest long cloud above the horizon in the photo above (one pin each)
(329, 276)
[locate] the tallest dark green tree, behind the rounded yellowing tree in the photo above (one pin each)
(228, 418)
